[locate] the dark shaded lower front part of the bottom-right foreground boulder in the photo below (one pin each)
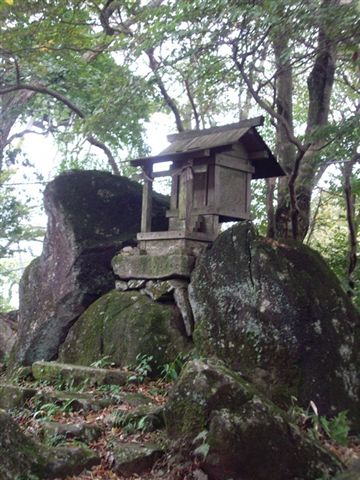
(254, 443)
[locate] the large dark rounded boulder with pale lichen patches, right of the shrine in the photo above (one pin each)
(274, 311)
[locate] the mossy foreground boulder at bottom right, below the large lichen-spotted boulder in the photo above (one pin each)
(236, 432)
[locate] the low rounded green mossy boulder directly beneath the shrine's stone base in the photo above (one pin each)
(122, 325)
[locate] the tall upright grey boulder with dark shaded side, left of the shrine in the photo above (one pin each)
(91, 215)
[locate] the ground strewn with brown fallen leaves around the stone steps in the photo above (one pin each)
(176, 464)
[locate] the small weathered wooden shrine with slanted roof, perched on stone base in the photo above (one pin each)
(211, 172)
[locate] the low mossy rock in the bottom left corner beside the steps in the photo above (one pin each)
(22, 457)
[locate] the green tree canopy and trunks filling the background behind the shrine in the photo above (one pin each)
(94, 72)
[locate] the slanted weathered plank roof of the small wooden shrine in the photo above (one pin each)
(199, 143)
